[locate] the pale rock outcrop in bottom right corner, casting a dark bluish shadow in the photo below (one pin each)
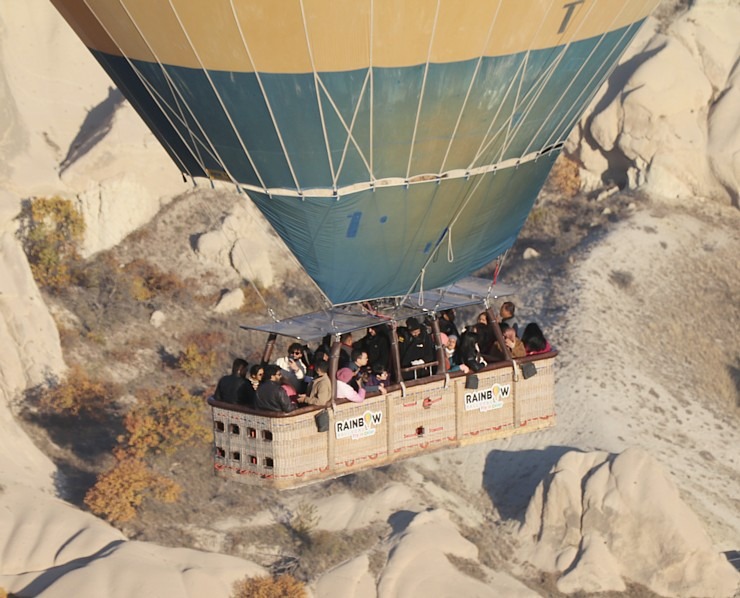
(602, 520)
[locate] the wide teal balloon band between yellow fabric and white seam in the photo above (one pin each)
(515, 105)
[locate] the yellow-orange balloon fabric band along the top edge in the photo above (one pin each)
(339, 30)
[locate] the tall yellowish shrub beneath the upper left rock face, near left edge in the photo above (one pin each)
(52, 231)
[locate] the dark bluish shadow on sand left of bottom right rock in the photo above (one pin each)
(511, 477)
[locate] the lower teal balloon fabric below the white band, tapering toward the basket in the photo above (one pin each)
(374, 244)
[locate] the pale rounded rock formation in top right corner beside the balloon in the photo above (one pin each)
(668, 118)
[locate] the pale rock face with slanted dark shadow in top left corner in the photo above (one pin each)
(68, 132)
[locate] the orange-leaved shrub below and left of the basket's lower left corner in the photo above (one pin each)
(119, 492)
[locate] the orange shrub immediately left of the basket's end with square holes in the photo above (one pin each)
(163, 421)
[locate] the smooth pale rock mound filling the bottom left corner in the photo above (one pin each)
(48, 548)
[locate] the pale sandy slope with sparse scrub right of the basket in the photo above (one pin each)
(648, 358)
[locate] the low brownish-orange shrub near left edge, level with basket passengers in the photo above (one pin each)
(76, 394)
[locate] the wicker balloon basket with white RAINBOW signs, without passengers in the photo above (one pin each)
(288, 451)
